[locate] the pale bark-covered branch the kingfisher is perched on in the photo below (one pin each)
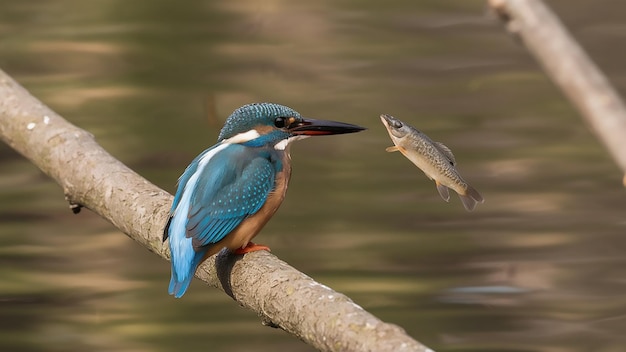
(282, 296)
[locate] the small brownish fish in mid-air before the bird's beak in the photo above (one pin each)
(433, 158)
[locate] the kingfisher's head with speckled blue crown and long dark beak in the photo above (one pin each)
(268, 124)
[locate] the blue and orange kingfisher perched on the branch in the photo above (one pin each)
(230, 191)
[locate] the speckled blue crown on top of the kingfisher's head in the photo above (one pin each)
(249, 116)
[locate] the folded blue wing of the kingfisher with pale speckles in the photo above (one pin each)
(231, 187)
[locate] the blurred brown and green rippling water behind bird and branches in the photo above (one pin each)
(538, 267)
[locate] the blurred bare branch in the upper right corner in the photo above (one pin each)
(570, 68)
